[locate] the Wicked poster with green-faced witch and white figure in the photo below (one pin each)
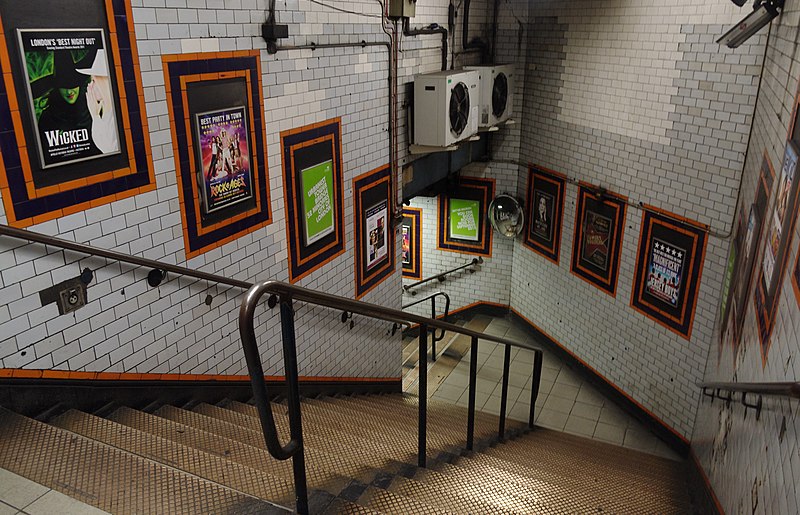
(69, 88)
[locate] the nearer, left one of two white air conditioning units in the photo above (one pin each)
(446, 107)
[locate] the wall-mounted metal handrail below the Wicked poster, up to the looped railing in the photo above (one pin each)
(22, 234)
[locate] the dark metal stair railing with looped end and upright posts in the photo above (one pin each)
(285, 295)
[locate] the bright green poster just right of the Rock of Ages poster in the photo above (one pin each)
(317, 183)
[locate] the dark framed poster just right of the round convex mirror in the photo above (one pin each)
(544, 212)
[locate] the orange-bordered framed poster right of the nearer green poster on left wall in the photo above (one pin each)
(374, 237)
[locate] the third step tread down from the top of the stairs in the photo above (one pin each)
(248, 455)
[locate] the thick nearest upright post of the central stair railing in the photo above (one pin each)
(295, 424)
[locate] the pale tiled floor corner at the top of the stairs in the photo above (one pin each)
(22, 496)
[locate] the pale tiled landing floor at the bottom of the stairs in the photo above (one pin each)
(566, 402)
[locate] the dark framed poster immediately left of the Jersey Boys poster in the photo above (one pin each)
(599, 226)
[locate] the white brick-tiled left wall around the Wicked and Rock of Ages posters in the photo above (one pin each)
(130, 327)
